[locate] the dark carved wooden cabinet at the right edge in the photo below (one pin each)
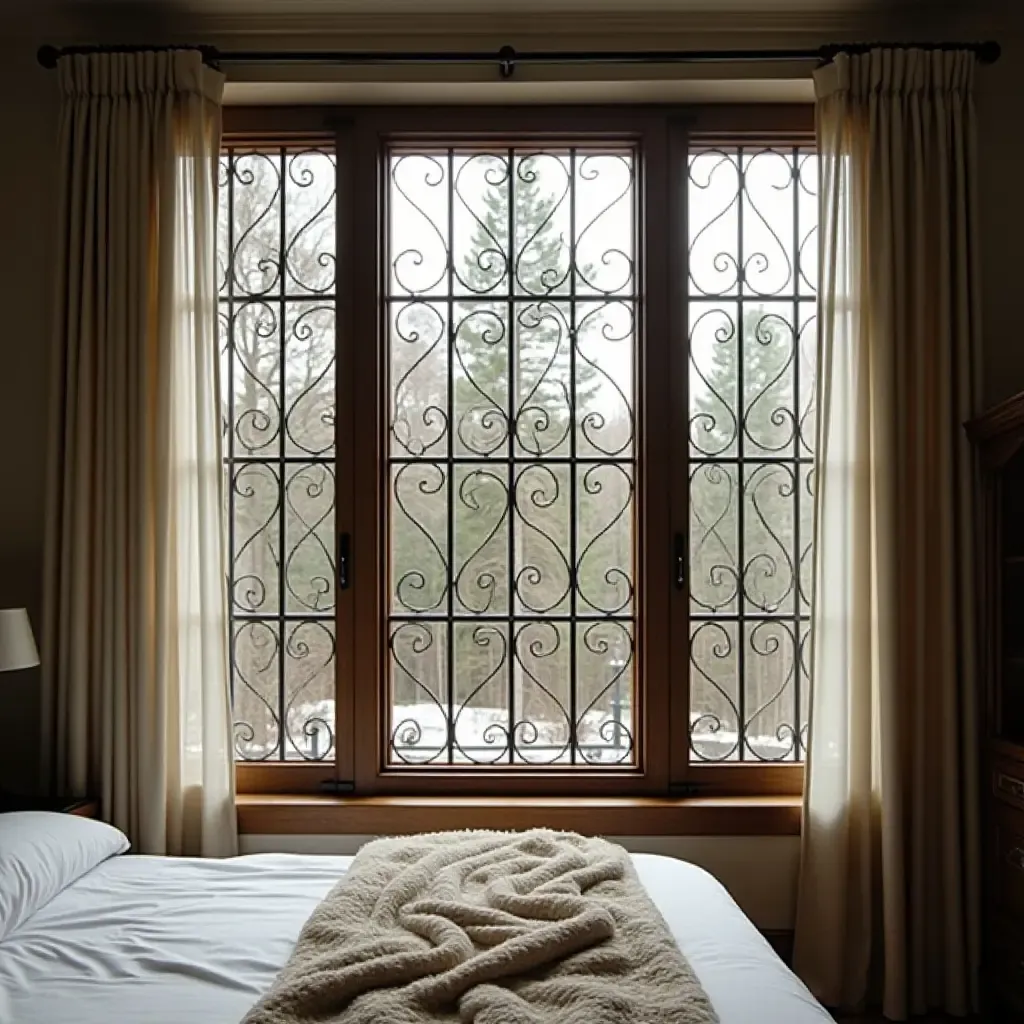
(1000, 438)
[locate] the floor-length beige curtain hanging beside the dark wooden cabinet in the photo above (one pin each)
(889, 902)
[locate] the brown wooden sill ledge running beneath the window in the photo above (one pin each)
(280, 815)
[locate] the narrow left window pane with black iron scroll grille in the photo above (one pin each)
(277, 289)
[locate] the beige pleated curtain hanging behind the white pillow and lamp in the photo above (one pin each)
(136, 644)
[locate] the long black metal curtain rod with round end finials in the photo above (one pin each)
(507, 59)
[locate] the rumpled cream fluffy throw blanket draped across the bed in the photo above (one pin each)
(487, 928)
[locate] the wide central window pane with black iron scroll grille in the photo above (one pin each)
(511, 294)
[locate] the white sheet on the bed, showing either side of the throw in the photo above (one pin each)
(163, 942)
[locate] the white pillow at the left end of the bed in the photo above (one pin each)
(42, 854)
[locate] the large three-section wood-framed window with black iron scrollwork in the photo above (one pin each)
(519, 451)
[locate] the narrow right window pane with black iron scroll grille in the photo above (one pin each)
(752, 287)
